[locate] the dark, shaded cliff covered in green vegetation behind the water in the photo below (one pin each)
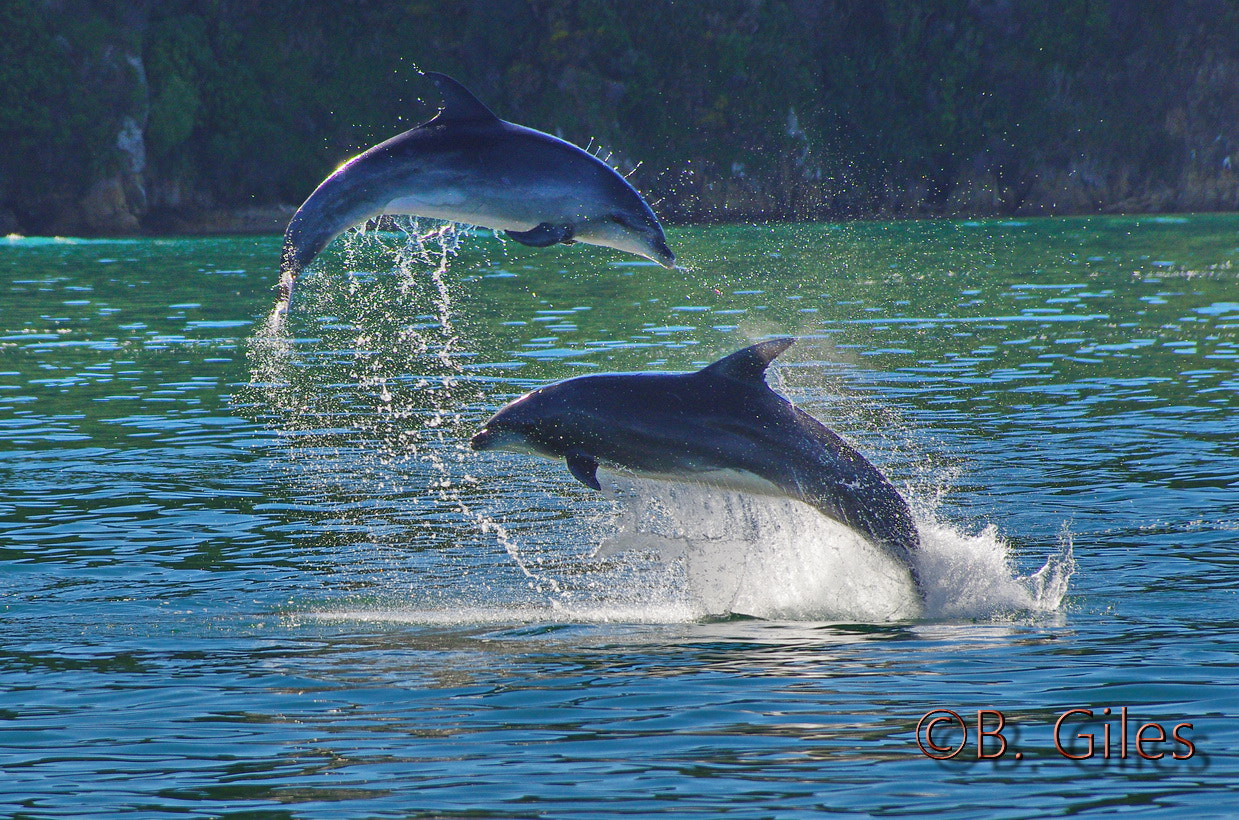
(133, 120)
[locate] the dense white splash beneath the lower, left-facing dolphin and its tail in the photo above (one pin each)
(780, 559)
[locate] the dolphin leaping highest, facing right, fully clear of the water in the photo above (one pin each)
(468, 165)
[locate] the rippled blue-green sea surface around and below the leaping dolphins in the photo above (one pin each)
(252, 569)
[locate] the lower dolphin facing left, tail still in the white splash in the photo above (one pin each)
(722, 425)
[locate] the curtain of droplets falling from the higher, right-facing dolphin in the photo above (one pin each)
(380, 407)
